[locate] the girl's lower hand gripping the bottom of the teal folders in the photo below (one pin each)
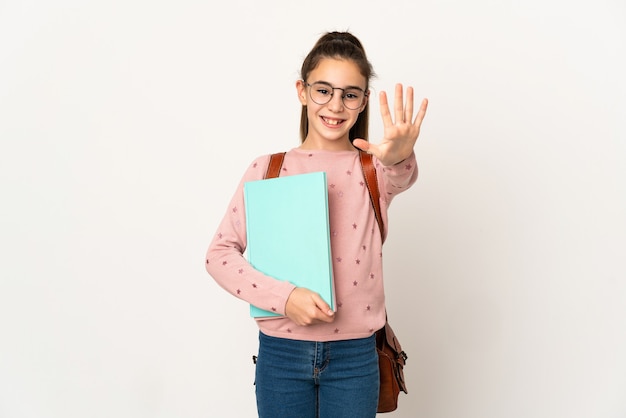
(305, 307)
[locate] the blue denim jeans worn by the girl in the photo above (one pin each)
(307, 379)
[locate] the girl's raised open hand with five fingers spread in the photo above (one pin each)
(400, 132)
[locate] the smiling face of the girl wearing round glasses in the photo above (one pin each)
(330, 123)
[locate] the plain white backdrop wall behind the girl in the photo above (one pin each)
(125, 126)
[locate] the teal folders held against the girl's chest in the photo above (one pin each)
(288, 232)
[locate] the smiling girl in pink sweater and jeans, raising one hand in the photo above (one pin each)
(313, 362)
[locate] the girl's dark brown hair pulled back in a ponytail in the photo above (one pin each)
(344, 46)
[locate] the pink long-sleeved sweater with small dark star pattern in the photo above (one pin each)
(355, 242)
